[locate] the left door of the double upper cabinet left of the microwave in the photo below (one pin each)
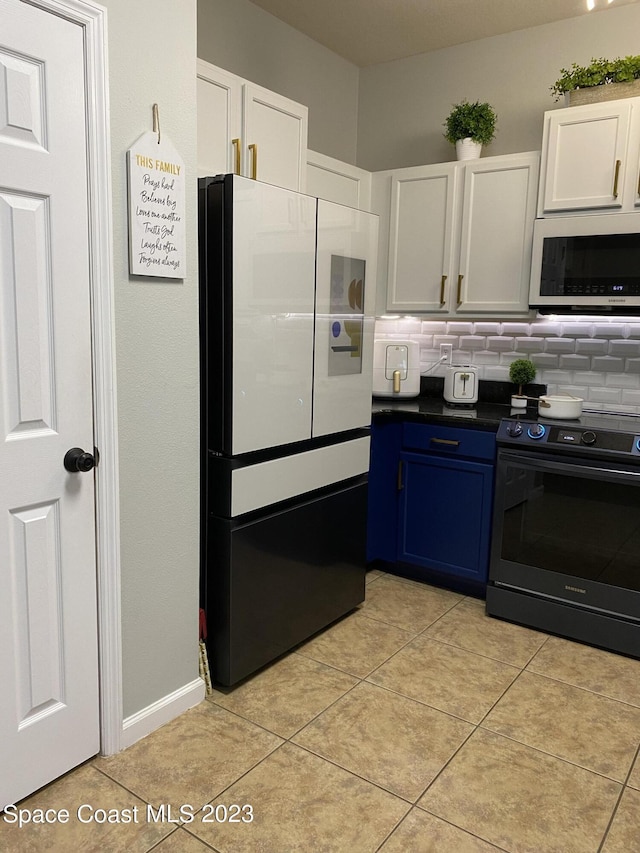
(423, 210)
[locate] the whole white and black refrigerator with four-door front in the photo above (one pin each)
(287, 294)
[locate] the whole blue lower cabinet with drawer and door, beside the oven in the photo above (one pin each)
(430, 502)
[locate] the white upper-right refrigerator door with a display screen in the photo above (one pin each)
(347, 248)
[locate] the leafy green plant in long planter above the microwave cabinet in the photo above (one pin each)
(595, 78)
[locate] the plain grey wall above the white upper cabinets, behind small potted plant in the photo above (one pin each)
(403, 104)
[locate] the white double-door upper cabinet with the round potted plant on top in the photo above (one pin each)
(460, 235)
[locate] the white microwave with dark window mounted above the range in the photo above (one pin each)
(586, 264)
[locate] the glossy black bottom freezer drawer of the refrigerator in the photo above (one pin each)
(274, 581)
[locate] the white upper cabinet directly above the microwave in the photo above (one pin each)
(590, 158)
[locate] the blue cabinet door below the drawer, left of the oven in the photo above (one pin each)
(444, 515)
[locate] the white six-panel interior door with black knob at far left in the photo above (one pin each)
(48, 625)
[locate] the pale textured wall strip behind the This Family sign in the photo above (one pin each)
(152, 54)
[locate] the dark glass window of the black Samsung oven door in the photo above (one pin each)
(568, 520)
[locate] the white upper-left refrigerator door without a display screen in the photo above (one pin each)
(274, 239)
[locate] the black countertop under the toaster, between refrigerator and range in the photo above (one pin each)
(430, 407)
